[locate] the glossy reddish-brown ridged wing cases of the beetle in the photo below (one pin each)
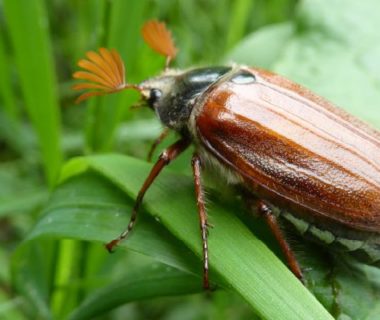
(295, 150)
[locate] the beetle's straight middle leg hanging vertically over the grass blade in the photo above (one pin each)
(196, 164)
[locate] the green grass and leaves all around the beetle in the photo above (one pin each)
(69, 174)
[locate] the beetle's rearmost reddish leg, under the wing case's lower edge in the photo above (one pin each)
(274, 226)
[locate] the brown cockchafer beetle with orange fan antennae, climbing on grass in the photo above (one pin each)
(288, 148)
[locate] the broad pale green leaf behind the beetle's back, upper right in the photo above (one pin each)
(332, 48)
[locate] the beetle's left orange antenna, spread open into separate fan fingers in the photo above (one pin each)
(105, 72)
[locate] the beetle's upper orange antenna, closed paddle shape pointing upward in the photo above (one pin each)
(160, 39)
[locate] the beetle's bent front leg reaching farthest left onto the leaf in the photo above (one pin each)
(166, 156)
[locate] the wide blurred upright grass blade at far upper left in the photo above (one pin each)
(28, 28)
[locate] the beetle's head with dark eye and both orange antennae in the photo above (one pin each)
(106, 73)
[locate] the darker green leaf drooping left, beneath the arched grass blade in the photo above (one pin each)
(99, 210)
